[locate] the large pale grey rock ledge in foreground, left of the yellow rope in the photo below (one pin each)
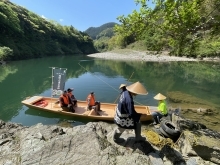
(86, 144)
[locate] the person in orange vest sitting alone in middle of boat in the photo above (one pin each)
(92, 104)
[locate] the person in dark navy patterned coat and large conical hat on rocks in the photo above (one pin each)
(126, 117)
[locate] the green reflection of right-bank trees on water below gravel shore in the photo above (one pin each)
(199, 79)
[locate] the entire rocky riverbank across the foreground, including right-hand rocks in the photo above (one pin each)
(92, 144)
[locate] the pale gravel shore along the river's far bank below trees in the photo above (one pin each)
(131, 55)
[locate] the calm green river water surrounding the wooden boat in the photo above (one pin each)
(20, 79)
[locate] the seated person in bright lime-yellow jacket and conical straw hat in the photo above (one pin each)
(161, 109)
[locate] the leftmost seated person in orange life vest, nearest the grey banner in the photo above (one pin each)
(65, 102)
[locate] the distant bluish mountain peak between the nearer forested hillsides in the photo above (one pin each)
(105, 29)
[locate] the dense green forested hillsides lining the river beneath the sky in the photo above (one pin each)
(182, 27)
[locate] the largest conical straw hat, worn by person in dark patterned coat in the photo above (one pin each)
(137, 88)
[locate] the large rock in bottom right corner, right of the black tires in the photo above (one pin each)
(197, 140)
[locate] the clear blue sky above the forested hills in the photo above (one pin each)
(81, 14)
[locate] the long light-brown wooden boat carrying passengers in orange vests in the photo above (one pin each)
(108, 110)
